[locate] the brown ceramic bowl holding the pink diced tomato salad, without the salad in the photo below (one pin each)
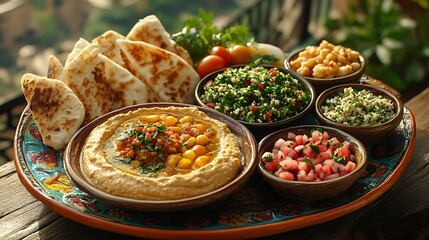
(311, 191)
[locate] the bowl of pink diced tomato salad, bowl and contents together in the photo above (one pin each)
(310, 162)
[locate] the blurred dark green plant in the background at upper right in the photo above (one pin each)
(386, 39)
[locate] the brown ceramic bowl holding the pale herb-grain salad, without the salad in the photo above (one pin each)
(369, 135)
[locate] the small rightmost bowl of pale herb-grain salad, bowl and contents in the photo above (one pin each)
(370, 117)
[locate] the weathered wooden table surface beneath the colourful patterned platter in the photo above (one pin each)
(401, 213)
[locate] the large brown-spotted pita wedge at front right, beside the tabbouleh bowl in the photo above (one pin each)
(165, 73)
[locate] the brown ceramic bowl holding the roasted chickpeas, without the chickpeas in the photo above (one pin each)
(321, 84)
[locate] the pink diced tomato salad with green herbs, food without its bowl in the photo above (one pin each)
(313, 158)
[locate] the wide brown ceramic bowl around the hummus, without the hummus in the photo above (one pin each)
(248, 147)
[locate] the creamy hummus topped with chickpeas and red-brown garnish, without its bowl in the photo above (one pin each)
(161, 154)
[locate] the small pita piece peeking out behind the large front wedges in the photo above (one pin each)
(108, 46)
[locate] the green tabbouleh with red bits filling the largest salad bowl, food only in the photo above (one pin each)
(256, 94)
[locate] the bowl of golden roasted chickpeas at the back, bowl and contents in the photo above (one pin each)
(327, 65)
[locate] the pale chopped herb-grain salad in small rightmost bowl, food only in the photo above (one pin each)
(358, 107)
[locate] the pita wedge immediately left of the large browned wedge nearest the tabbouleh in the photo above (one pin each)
(125, 88)
